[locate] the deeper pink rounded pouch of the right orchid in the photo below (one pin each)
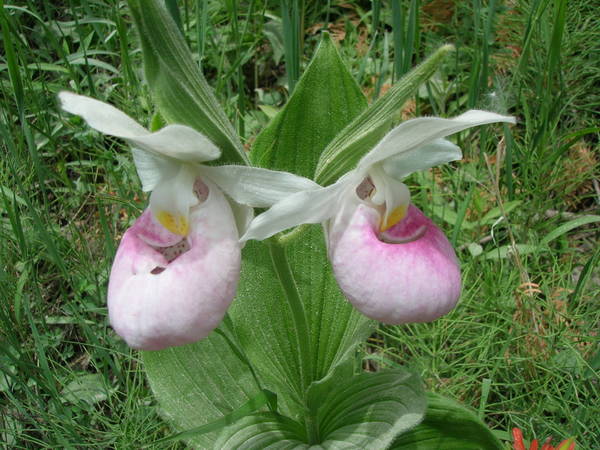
(417, 280)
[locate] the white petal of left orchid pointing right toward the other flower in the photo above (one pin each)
(255, 186)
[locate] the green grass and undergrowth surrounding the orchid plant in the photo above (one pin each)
(522, 346)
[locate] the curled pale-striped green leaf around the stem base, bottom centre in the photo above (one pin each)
(364, 411)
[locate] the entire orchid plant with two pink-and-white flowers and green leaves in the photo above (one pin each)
(249, 318)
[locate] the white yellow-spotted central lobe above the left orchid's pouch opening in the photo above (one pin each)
(171, 200)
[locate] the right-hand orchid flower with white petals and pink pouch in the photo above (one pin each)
(391, 262)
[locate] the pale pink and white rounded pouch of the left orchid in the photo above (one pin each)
(154, 303)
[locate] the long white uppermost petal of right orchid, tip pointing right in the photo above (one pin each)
(413, 134)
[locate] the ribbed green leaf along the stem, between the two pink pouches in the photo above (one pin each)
(264, 319)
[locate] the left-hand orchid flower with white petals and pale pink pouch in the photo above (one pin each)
(176, 270)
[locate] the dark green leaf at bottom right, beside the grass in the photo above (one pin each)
(448, 426)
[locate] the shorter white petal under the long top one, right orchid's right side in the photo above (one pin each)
(429, 155)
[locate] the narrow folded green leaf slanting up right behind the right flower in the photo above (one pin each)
(343, 153)
